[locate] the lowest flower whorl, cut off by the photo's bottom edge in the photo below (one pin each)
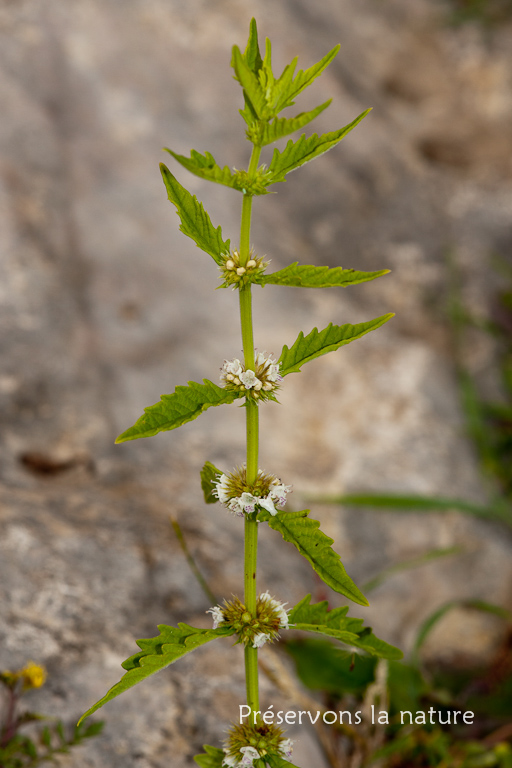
(247, 743)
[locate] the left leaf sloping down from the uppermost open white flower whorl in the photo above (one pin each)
(185, 404)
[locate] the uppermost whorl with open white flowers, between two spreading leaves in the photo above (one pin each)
(259, 384)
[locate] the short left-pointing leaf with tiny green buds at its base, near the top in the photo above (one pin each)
(205, 167)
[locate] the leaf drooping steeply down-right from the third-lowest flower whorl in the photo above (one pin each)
(315, 546)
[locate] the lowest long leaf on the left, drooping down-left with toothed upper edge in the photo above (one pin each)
(157, 653)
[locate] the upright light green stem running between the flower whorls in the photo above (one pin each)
(252, 426)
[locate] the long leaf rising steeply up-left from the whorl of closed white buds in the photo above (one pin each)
(195, 222)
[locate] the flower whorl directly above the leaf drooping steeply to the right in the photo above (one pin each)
(267, 492)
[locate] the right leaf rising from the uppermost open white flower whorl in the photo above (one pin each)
(318, 343)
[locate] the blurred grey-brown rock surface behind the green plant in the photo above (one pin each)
(105, 305)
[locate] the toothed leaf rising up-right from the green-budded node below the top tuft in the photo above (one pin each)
(303, 150)
